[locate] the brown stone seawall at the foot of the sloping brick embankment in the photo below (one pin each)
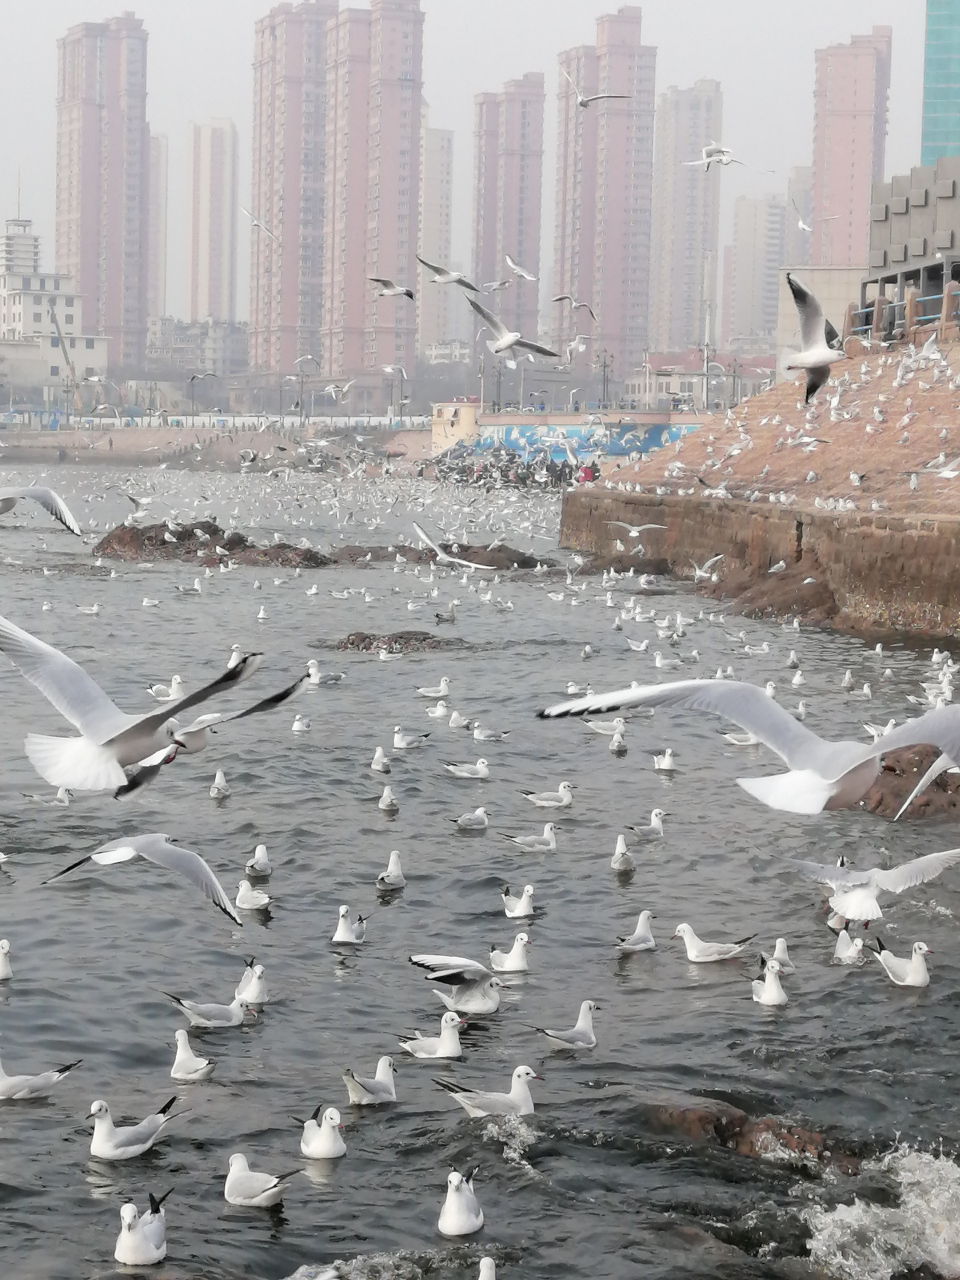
(871, 572)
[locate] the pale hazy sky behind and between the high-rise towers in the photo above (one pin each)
(200, 67)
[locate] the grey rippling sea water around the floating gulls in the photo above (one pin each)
(587, 1187)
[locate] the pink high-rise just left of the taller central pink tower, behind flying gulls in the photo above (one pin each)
(508, 196)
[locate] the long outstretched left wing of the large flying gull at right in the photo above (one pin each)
(747, 706)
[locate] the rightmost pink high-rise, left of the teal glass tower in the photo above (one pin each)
(849, 143)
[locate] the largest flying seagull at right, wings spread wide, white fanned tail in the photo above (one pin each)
(824, 775)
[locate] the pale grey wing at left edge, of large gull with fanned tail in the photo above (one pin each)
(67, 685)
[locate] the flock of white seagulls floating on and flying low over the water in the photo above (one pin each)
(117, 753)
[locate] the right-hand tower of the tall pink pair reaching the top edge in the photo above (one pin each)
(373, 191)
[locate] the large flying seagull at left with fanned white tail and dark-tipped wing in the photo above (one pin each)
(109, 740)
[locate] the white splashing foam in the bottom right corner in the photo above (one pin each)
(874, 1242)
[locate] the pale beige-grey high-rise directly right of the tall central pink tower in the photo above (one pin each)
(685, 218)
